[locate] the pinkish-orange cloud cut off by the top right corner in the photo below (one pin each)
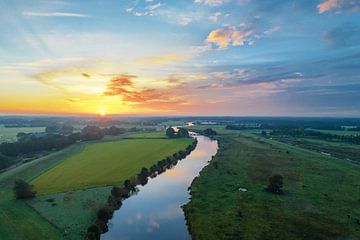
(339, 5)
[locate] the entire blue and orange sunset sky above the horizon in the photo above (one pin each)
(188, 57)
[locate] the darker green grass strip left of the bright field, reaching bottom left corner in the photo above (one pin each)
(17, 219)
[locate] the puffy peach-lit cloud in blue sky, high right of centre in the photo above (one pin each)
(224, 37)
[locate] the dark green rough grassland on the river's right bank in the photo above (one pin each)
(321, 199)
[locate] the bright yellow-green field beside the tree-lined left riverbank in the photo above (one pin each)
(106, 163)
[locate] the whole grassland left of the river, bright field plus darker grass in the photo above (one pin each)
(67, 206)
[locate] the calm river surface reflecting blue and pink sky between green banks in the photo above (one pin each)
(155, 212)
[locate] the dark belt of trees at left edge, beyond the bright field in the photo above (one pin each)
(32, 143)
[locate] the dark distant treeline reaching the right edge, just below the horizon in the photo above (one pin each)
(300, 132)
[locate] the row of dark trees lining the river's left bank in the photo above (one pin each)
(118, 194)
